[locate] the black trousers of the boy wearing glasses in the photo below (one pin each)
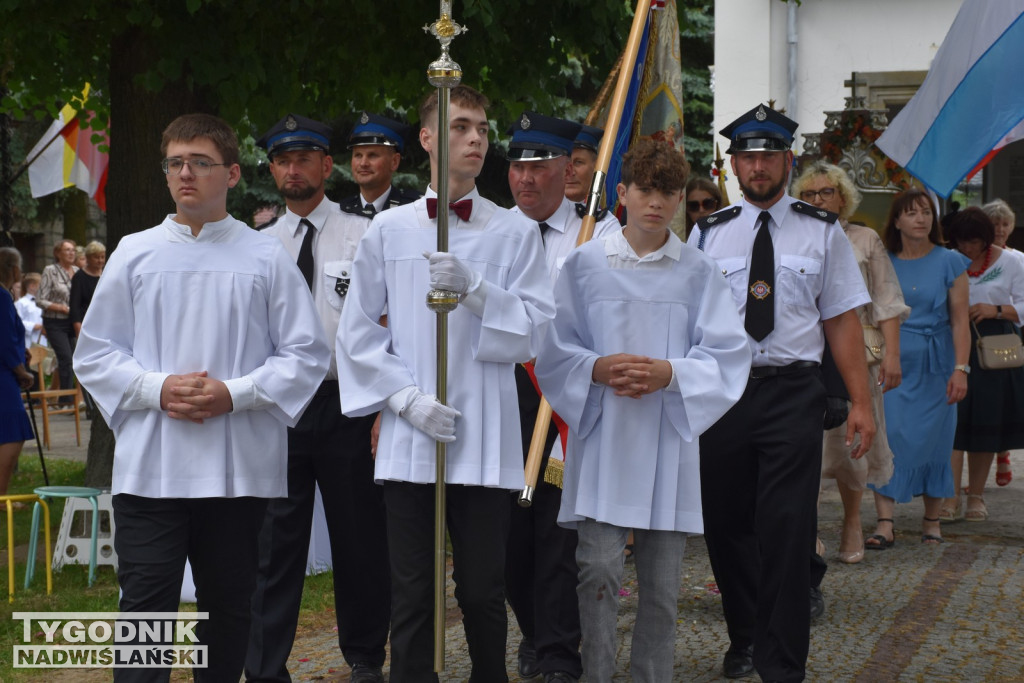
(219, 536)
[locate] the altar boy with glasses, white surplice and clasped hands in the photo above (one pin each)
(200, 348)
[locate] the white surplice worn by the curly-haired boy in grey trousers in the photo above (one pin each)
(635, 462)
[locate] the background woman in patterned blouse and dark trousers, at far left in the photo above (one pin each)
(55, 300)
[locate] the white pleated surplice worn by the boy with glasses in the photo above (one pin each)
(230, 302)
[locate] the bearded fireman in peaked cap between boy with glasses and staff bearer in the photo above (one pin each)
(325, 449)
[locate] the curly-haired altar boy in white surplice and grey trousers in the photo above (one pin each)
(646, 353)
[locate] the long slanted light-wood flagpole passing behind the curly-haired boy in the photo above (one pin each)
(628, 61)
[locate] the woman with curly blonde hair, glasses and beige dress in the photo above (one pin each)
(829, 188)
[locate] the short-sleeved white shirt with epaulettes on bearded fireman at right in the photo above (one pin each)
(817, 277)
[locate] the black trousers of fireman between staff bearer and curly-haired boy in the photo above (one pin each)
(541, 573)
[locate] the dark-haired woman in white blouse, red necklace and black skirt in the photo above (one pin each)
(992, 418)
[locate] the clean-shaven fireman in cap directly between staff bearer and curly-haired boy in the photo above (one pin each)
(541, 574)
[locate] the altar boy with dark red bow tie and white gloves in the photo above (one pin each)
(496, 264)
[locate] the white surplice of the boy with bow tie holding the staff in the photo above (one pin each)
(374, 362)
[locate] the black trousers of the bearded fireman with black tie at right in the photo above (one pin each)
(760, 472)
